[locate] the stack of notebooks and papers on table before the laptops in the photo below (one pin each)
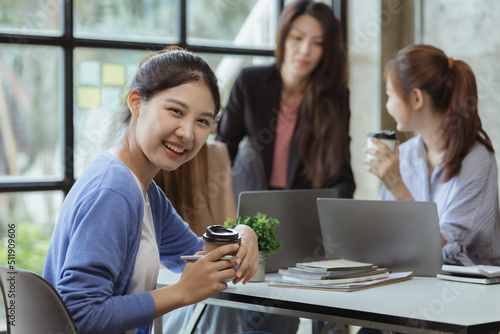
(337, 274)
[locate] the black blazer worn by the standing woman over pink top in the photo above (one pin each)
(252, 110)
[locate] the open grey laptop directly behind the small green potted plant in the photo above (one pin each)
(299, 228)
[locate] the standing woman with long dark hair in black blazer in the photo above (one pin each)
(295, 112)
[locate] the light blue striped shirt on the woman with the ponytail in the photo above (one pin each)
(467, 204)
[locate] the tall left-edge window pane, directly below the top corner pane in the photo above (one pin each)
(30, 112)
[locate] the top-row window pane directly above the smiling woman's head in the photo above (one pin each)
(127, 20)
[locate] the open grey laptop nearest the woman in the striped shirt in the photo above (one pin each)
(398, 235)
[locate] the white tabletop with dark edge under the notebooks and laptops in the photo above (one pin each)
(422, 304)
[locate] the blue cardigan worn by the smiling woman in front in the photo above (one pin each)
(92, 253)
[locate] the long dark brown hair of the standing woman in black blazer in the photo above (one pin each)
(323, 132)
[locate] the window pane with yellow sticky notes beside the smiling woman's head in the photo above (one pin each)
(102, 78)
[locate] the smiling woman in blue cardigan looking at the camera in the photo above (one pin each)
(116, 226)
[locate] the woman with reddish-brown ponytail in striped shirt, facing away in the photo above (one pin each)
(451, 161)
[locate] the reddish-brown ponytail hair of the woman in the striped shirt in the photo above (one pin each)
(451, 85)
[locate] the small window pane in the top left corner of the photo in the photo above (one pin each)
(32, 17)
